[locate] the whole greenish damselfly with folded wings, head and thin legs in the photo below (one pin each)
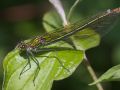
(100, 22)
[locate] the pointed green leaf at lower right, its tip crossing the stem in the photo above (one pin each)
(112, 74)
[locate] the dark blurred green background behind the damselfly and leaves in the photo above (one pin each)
(22, 19)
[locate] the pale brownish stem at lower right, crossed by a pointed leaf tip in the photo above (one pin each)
(92, 73)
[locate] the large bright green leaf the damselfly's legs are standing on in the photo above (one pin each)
(50, 70)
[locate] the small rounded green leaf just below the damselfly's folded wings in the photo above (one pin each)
(86, 39)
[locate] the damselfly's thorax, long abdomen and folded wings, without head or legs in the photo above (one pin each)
(100, 23)
